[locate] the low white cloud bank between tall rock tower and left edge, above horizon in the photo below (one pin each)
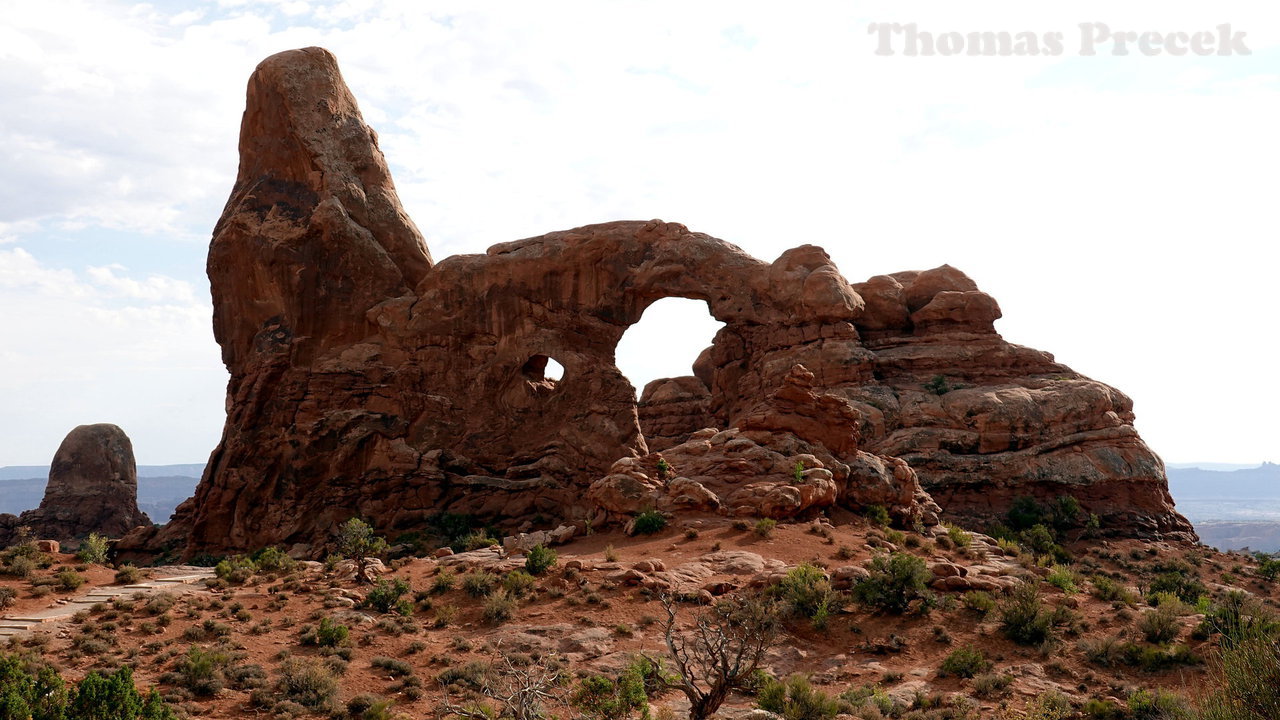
(104, 348)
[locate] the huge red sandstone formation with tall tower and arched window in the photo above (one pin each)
(367, 381)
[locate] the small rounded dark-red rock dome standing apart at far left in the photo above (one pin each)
(93, 489)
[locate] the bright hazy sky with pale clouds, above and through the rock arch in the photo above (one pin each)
(1121, 208)
